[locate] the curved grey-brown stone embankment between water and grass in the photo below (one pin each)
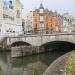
(58, 66)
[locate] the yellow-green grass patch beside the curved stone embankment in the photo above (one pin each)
(70, 65)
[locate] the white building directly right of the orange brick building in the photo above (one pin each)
(67, 23)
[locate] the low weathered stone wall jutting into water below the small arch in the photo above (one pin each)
(19, 51)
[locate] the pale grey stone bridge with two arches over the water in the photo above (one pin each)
(39, 39)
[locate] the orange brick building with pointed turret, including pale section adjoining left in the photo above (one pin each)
(42, 20)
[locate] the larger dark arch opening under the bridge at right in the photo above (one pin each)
(58, 45)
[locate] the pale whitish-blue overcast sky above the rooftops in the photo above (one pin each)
(61, 6)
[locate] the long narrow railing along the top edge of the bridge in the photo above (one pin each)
(25, 35)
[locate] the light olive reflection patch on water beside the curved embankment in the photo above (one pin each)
(36, 68)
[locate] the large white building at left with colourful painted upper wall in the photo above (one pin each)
(10, 18)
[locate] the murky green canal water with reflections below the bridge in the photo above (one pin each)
(30, 65)
